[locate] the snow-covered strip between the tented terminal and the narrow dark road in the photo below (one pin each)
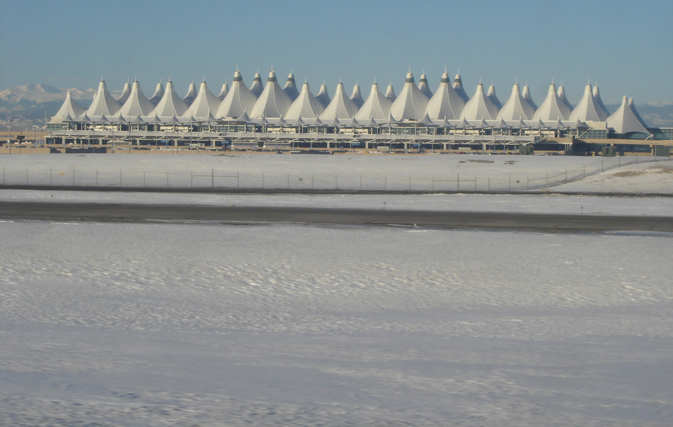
(345, 172)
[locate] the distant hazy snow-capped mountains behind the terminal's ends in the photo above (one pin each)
(27, 105)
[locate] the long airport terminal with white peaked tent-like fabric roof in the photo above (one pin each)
(273, 117)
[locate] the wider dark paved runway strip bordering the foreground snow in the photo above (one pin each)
(233, 214)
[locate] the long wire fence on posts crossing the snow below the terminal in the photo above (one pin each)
(481, 181)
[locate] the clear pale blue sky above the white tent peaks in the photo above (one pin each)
(627, 46)
